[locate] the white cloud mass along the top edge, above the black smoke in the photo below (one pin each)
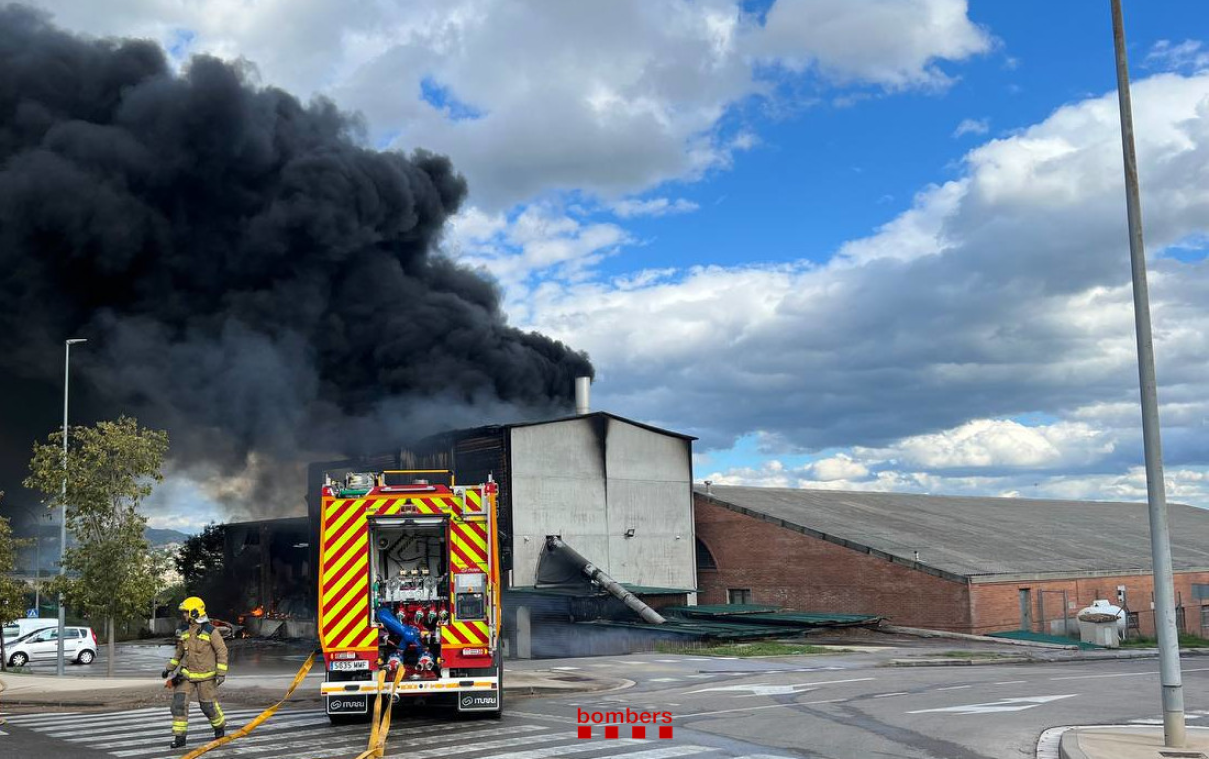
(533, 97)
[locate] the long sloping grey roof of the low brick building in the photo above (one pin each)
(974, 537)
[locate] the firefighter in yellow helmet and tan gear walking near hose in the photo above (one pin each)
(200, 665)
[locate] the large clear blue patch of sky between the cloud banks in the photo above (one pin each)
(828, 175)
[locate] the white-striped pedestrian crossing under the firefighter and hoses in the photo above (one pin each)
(306, 734)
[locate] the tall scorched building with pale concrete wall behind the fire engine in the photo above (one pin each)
(617, 491)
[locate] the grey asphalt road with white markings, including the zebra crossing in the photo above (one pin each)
(835, 708)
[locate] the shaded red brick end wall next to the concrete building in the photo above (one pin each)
(788, 569)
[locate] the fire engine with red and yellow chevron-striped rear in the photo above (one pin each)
(409, 578)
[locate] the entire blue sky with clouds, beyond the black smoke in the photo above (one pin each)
(872, 246)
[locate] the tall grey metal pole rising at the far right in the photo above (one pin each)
(1175, 734)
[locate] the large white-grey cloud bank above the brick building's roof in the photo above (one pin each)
(1002, 293)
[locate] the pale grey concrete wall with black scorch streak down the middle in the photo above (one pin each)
(591, 480)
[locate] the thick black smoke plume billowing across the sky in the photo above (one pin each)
(247, 273)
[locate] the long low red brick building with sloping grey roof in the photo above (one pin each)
(964, 565)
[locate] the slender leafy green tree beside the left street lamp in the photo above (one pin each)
(111, 470)
